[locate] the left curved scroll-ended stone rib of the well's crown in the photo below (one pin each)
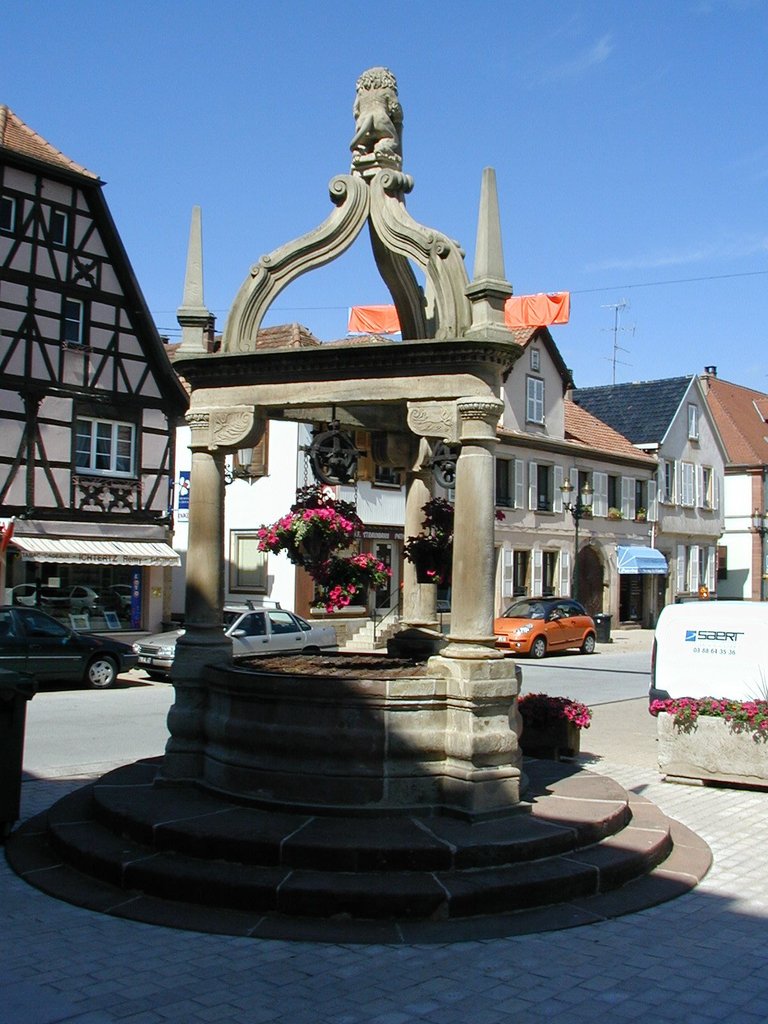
(279, 269)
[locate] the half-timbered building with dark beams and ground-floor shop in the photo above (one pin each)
(89, 400)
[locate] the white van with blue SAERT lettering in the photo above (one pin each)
(711, 650)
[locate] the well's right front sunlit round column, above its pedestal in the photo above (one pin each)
(475, 567)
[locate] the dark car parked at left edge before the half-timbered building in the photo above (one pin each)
(34, 643)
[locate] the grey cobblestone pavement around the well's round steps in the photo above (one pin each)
(699, 959)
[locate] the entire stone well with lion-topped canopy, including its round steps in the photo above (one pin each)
(385, 806)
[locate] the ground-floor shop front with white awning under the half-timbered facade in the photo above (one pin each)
(92, 577)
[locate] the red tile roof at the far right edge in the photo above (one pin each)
(742, 418)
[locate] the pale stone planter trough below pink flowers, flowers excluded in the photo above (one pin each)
(712, 750)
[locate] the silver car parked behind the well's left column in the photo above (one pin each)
(254, 631)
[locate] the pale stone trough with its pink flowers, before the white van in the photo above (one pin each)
(712, 741)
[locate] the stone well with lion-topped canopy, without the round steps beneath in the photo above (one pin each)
(445, 743)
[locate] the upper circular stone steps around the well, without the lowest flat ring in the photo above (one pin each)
(580, 837)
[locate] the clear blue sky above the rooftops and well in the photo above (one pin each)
(629, 141)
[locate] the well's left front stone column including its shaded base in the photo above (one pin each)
(204, 642)
